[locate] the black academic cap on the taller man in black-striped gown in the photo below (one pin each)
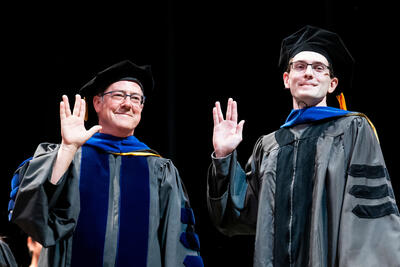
(324, 42)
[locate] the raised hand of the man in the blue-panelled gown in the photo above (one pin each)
(73, 131)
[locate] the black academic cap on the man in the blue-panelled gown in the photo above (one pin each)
(124, 70)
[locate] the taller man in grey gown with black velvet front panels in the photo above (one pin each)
(316, 192)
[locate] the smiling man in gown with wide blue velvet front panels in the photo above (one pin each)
(102, 197)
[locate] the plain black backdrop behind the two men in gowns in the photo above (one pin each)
(200, 52)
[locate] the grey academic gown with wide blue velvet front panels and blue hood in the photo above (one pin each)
(118, 204)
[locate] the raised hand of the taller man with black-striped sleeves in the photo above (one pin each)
(227, 133)
